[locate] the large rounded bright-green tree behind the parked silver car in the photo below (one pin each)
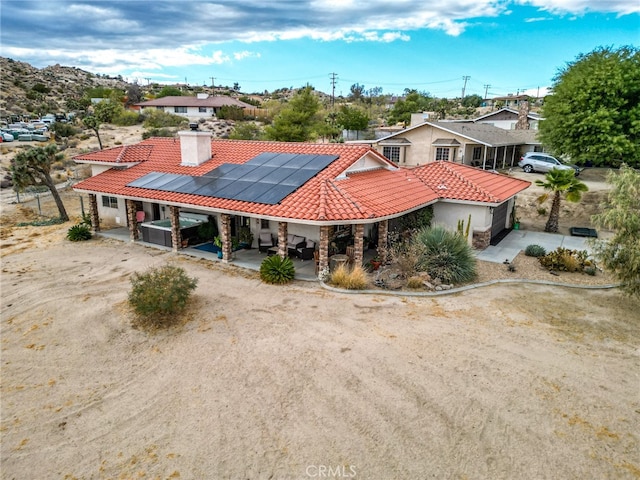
(593, 113)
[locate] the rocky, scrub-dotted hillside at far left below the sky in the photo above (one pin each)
(26, 90)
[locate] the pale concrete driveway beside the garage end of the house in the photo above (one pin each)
(518, 240)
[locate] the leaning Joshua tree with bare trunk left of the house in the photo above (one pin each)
(33, 167)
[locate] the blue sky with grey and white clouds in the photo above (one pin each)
(503, 46)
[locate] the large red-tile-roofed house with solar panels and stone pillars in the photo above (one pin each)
(315, 191)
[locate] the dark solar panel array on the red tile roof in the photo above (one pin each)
(267, 178)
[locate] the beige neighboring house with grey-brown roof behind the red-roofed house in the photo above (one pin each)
(475, 144)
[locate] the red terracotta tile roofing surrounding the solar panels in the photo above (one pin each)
(326, 197)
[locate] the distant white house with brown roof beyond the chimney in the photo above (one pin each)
(200, 106)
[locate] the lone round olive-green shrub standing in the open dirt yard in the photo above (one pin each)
(159, 294)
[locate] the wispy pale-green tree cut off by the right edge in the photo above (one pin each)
(621, 213)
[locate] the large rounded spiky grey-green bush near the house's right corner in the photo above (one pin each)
(447, 256)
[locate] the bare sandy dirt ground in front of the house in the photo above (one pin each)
(294, 382)
